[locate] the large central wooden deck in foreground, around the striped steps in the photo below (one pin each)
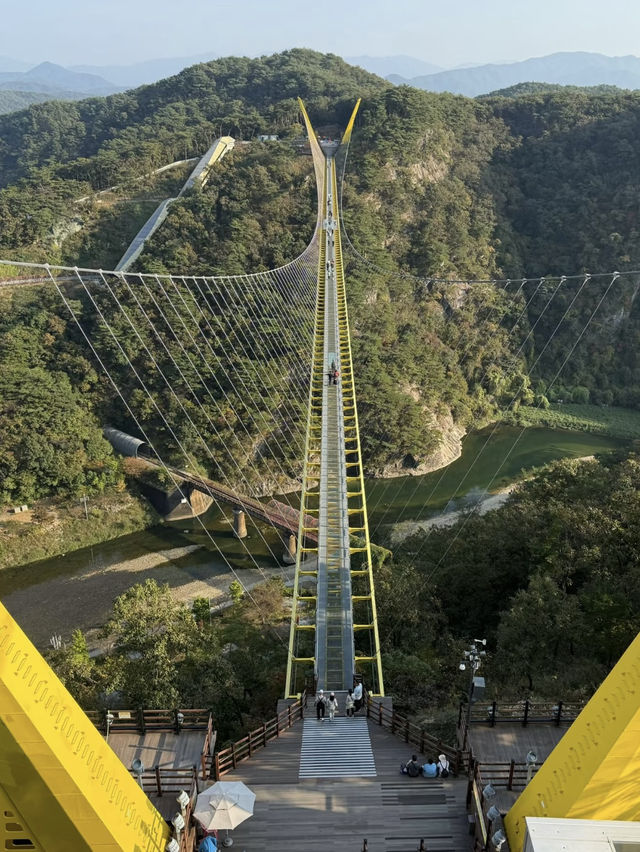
(392, 811)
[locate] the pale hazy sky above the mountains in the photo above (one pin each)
(447, 32)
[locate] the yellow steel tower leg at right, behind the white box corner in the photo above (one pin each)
(593, 771)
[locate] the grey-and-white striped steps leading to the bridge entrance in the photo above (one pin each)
(336, 749)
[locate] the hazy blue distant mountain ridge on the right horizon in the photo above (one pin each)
(574, 69)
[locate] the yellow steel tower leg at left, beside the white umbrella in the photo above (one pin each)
(65, 786)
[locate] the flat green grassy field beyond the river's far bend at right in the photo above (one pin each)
(602, 420)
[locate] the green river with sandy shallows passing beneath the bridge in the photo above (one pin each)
(78, 589)
